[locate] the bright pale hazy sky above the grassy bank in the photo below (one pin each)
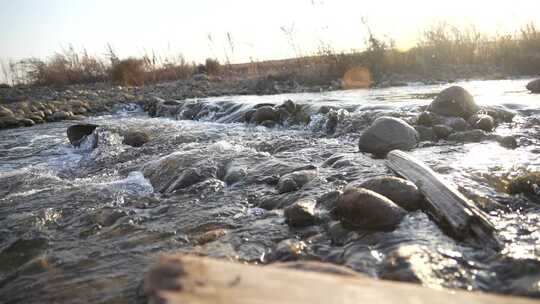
(258, 29)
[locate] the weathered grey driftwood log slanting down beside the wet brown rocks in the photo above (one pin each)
(454, 213)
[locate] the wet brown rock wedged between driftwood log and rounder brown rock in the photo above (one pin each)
(400, 191)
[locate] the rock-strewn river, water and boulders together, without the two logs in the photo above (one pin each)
(261, 179)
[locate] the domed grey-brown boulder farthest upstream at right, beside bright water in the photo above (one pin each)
(454, 101)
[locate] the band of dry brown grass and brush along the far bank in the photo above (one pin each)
(441, 47)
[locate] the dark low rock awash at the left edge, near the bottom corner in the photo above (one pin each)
(20, 252)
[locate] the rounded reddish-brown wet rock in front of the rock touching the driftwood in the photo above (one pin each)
(365, 209)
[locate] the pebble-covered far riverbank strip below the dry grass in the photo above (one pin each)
(30, 105)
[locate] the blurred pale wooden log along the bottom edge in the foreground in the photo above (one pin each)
(181, 279)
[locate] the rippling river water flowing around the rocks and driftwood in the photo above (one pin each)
(81, 226)
